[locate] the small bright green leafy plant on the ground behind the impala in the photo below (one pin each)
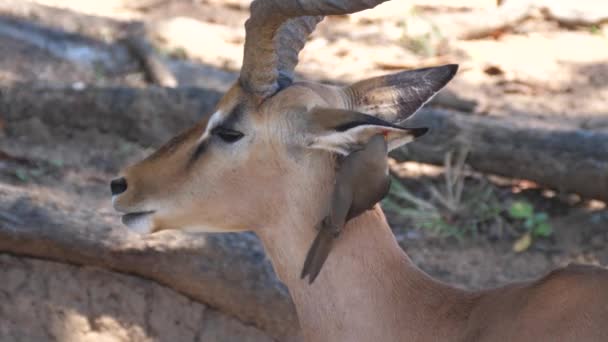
(536, 224)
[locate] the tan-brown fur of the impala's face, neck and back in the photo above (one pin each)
(369, 290)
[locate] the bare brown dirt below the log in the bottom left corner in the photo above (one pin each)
(48, 301)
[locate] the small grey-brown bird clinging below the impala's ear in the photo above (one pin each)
(362, 180)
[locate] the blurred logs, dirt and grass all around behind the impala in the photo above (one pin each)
(511, 182)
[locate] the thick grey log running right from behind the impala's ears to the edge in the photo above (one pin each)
(560, 157)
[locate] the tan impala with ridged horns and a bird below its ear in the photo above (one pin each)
(266, 161)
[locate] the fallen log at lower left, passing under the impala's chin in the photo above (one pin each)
(225, 271)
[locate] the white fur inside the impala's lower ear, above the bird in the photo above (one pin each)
(345, 142)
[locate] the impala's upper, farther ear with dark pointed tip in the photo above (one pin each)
(396, 97)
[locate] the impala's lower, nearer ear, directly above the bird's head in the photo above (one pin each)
(345, 131)
